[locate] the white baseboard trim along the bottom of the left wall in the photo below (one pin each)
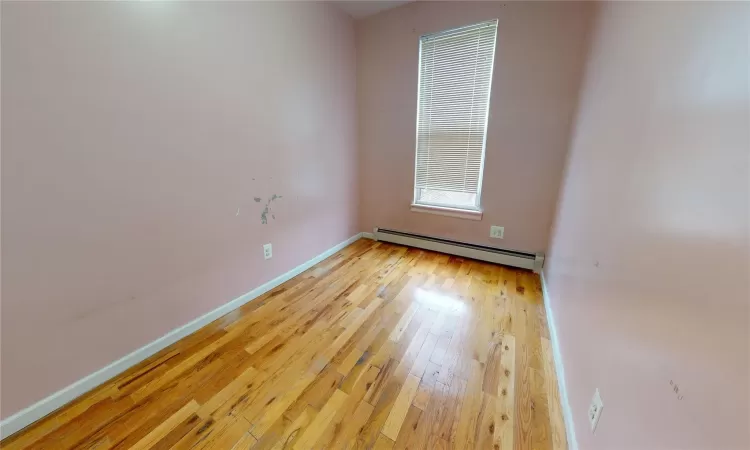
(38, 410)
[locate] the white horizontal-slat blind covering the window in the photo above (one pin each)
(455, 77)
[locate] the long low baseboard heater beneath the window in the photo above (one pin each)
(512, 258)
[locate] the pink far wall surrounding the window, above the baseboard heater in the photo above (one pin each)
(538, 63)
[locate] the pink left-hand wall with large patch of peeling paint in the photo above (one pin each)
(132, 133)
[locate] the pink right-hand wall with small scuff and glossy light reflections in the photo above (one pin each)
(650, 256)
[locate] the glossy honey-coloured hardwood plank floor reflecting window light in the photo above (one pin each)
(379, 346)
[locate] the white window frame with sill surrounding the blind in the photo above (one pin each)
(474, 212)
